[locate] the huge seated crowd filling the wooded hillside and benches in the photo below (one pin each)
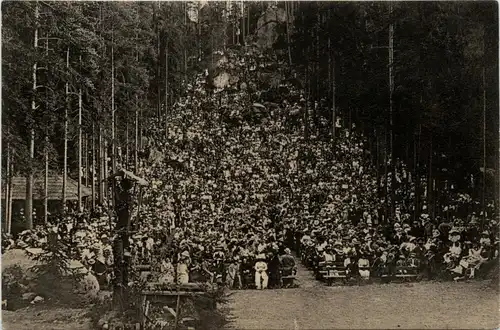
(235, 186)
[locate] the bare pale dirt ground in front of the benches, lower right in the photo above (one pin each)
(423, 305)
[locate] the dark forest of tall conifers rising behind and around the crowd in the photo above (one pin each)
(81, 81)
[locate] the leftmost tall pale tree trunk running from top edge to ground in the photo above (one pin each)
(28, 209)
